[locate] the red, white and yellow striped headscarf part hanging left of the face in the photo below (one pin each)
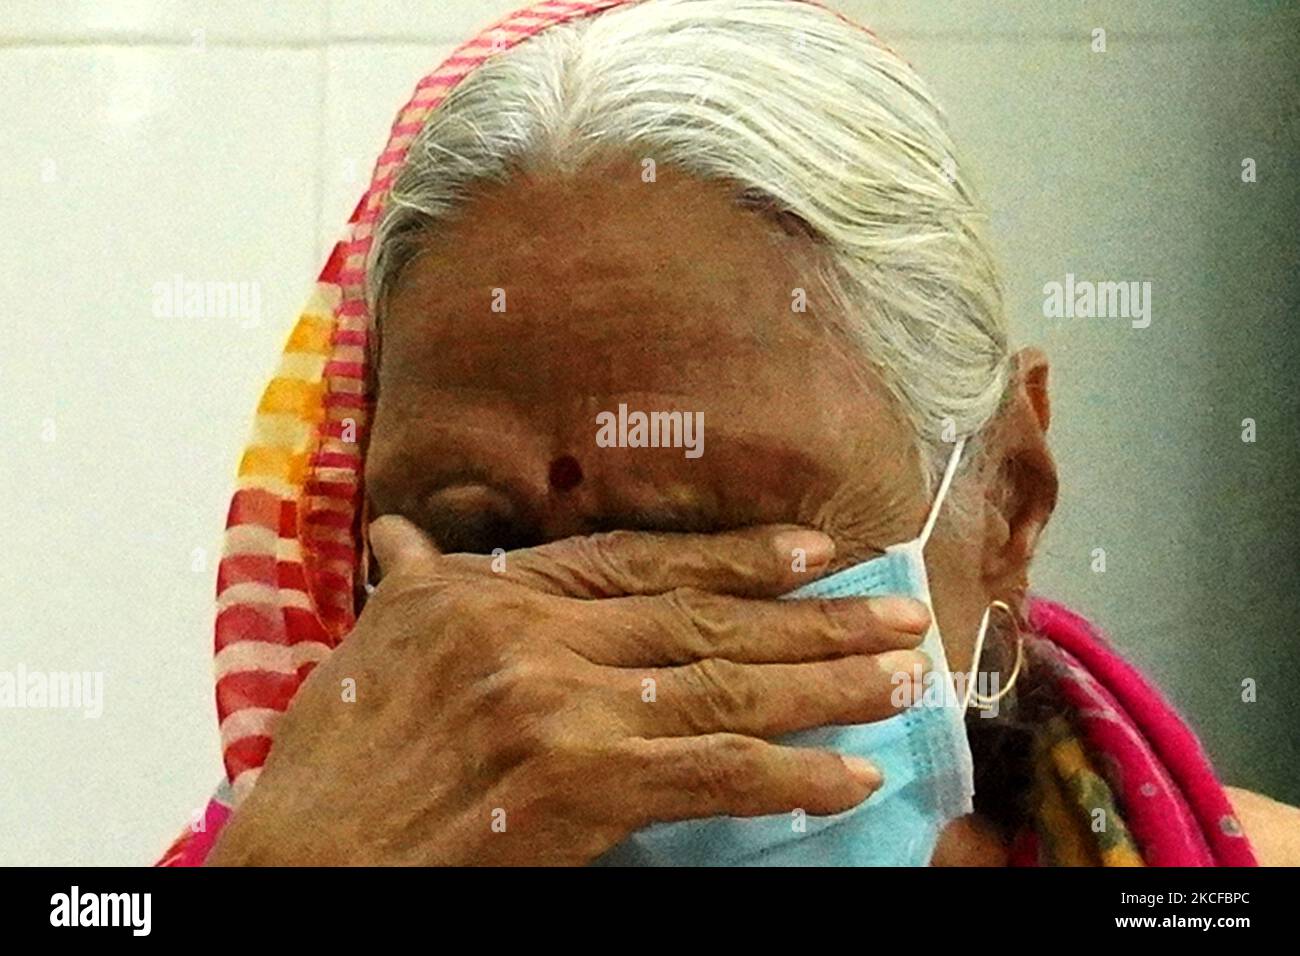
(288, 581)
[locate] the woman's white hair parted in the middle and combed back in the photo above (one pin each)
(790, 102)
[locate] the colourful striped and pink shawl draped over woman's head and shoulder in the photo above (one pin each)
(294, 550)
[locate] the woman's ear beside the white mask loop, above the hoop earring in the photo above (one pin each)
(1024, 491)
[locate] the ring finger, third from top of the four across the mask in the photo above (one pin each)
(766, 700)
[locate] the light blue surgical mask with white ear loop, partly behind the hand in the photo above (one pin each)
(924, 754)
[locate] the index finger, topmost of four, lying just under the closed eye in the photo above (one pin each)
(756, 563)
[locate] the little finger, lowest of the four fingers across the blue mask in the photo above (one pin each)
(727, 775)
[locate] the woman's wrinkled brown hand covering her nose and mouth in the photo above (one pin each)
(541, 712)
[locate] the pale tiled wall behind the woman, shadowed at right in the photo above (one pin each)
(228, 141)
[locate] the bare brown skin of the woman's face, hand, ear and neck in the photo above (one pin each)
(517, 694)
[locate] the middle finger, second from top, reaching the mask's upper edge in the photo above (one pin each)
(686, 625)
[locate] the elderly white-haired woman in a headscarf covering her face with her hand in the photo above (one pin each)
(538, 609)
